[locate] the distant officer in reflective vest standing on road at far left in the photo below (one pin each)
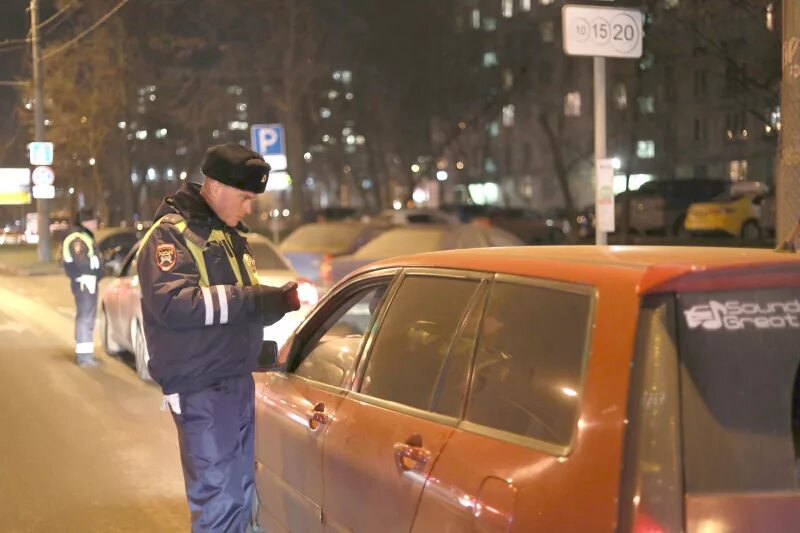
(82, 264)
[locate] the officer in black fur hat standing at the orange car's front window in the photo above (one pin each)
(203, 315)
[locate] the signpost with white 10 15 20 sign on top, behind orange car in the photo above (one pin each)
(602, 32)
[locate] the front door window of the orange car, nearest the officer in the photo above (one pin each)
(330, 355)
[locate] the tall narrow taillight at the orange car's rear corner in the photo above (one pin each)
(651, 489)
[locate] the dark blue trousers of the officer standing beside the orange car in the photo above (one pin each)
(216, 434)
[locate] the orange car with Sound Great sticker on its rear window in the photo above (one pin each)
(541, 389)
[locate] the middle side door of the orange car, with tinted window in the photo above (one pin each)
(389, 430)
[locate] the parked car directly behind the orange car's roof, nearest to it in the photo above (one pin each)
(419, 239)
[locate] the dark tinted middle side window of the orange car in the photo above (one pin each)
(410, 355)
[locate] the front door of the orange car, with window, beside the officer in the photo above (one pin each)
(294, 409)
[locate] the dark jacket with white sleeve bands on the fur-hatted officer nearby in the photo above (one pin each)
(197, 336)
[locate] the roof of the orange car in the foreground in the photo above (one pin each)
(647, 268)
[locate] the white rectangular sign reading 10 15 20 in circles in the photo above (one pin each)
(602, 31)
